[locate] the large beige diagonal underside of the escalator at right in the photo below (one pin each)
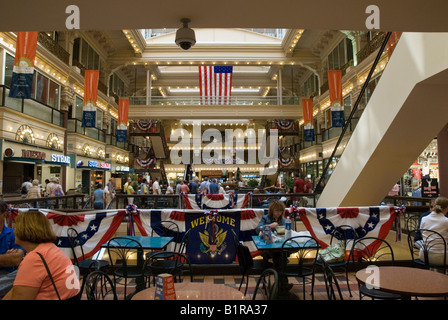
(407, 110)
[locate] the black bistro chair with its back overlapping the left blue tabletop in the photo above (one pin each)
(125, 250)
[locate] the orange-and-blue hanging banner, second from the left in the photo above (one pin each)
(90, 96)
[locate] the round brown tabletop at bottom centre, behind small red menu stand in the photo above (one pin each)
(196, 291)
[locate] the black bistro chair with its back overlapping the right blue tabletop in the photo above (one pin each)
(305, 249)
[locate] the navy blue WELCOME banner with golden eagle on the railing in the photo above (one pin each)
(211, 238)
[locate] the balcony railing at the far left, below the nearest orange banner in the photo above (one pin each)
(31, 107)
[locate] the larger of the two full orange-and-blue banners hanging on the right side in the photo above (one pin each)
(336, 102)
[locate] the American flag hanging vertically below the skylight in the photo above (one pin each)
(215, 83)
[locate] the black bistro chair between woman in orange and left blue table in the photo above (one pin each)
(84, 265)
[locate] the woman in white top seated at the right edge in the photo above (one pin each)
(435, 221)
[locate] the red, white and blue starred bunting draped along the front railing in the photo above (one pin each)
(99, 226)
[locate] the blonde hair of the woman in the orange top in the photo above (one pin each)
(33, 226)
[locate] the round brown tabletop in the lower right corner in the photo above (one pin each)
(405, 281)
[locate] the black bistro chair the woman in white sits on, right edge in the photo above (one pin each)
(420, 250)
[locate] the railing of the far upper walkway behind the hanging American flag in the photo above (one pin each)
(196, 100)
